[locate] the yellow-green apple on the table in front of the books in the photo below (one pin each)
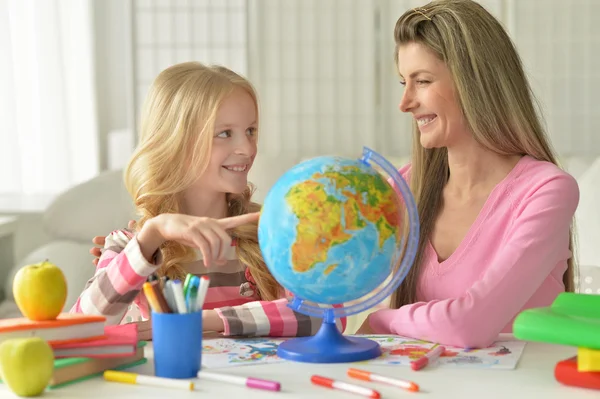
(26, 365)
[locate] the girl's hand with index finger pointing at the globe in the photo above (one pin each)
(207, 234)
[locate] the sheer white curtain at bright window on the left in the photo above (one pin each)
(48, 120)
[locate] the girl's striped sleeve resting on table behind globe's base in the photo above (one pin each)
(270, 318)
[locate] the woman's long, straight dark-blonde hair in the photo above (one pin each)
(496, 101)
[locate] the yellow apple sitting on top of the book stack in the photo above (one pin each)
(40, 291)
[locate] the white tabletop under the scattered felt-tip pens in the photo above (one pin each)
(533, 378)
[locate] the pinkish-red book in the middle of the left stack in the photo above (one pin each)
(119, 341)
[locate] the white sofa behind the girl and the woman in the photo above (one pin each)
(102, 204)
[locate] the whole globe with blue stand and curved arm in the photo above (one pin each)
(337, 235)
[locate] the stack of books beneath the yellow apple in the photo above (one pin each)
(83, 346)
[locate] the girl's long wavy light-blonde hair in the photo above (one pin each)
(177, 126)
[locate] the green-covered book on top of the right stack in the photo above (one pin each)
(572, 319)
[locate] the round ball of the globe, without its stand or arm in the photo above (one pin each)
(329, 230)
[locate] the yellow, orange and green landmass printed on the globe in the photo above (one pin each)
(332, 206)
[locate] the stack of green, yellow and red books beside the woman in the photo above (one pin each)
(573, 320)
